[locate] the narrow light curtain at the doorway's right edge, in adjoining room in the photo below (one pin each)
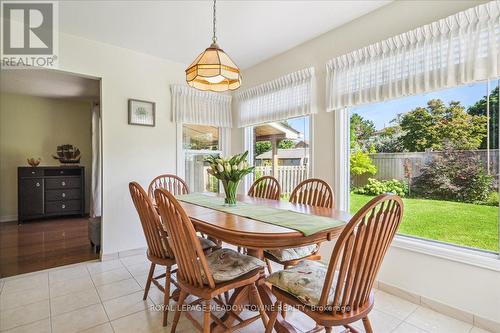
(96, 195)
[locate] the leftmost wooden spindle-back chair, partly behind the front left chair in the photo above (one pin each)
(159, 251)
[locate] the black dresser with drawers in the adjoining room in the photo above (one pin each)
(50, 192)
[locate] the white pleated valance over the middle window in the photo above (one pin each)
(286, 97)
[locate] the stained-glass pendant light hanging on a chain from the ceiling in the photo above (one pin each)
(213, 69)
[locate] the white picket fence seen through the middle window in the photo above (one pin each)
(288, 176)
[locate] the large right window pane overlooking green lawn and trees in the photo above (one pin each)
(440, 151)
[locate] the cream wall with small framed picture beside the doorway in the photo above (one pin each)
(129, 152)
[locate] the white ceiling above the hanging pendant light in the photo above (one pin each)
(249, 31)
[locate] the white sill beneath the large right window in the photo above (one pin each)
(477, 258)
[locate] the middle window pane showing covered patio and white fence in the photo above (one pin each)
(282, 149)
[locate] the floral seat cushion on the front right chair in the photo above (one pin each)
(303, 281)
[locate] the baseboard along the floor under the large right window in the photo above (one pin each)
(450, 311)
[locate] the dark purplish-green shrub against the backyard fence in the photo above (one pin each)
(454, 175)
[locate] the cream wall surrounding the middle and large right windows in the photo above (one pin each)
(459, 285)
